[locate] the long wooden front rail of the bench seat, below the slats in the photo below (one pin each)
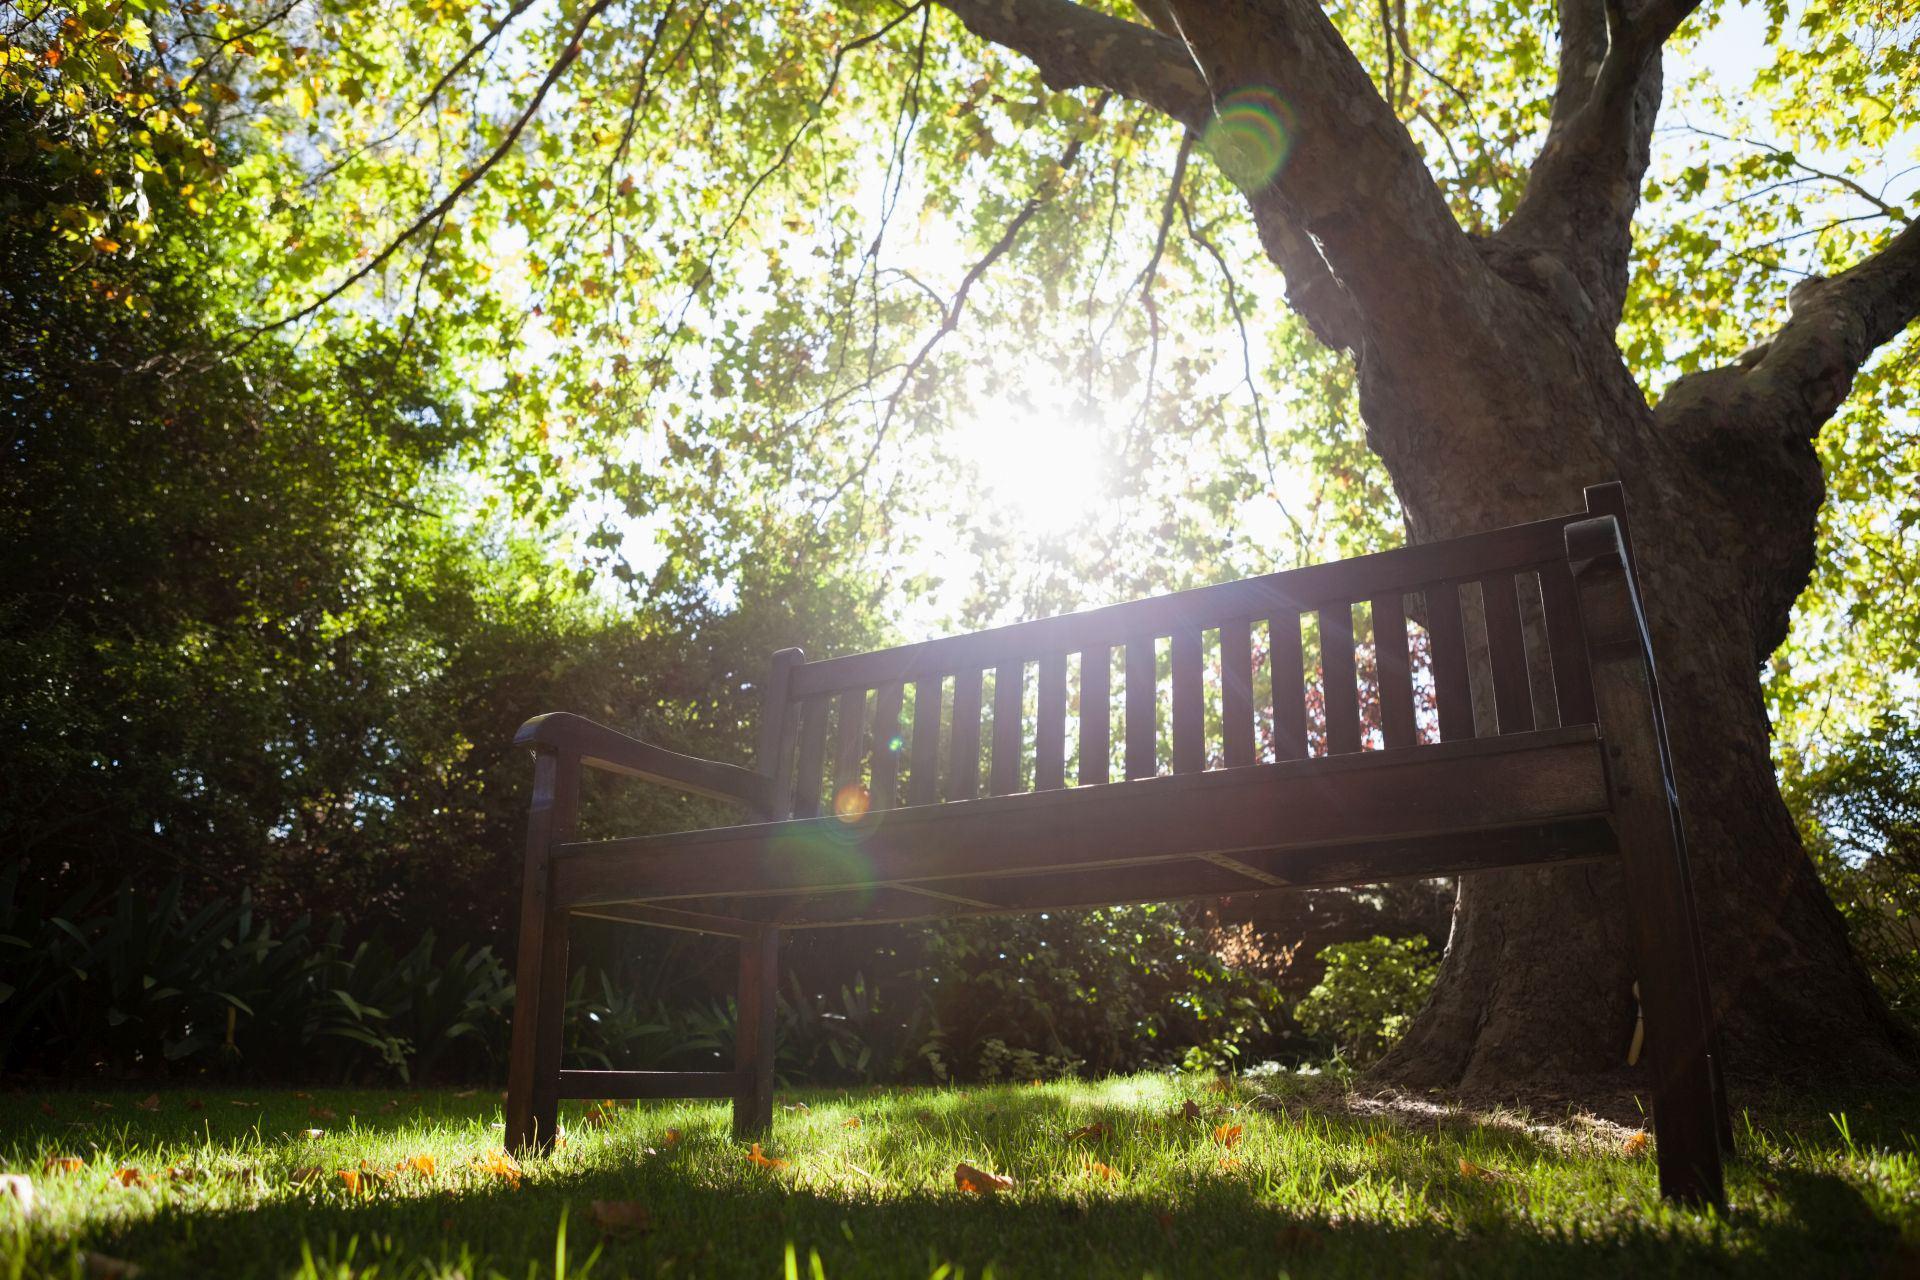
(1472, 786)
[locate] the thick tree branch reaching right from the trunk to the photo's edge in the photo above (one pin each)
(1796, 381)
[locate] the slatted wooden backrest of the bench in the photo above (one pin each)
(1403, 638)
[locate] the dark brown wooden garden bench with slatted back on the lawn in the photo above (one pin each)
(863, 813)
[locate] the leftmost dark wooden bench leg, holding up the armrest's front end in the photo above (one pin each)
(540, 978)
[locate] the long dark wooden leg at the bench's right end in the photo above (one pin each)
(1673, 982)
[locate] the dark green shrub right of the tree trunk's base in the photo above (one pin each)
(1860, 815)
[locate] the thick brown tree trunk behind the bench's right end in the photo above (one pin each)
(1537, 982)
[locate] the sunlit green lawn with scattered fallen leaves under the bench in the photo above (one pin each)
(1316, 1185)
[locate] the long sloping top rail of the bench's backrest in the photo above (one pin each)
(1205, 607)
